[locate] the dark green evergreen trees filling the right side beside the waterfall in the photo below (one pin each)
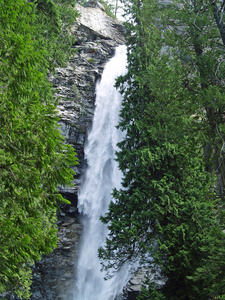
(169, 213)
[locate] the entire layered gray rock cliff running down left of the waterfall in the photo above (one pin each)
(97, 35)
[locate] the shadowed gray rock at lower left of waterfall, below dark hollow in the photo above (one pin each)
(53, 275)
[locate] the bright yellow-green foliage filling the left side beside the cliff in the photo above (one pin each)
(34, 160)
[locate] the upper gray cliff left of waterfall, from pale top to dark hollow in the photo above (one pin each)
(97, 35)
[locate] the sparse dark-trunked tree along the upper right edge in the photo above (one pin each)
(199, 37)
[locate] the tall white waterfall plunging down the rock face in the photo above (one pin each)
(102, 175)
